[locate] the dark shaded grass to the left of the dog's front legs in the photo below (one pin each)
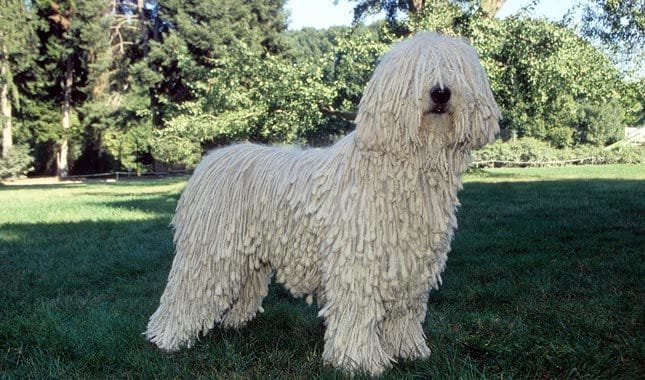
(78, 297)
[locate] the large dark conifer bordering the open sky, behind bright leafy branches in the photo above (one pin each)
(195, 38)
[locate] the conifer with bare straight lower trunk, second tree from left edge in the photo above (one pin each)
(74, 54)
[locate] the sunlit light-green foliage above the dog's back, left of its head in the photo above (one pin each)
(294, 98)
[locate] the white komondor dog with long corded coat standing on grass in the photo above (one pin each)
(364, 225)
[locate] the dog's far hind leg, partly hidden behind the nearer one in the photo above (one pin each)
(252, 291)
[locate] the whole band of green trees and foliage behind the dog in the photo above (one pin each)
(100, 85)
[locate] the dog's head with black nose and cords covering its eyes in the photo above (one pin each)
(428, 90)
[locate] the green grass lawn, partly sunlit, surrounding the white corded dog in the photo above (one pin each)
(546, 279)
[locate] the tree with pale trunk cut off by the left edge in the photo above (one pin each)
(16, 54)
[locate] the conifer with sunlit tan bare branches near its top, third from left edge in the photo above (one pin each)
(115, 116)
